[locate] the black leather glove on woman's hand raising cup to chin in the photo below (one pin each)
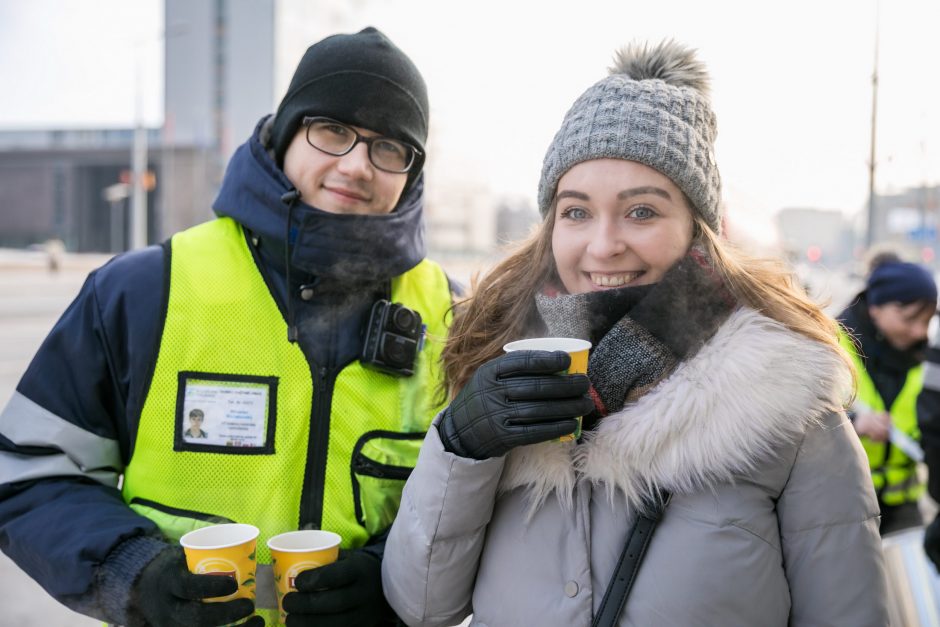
(518, 398)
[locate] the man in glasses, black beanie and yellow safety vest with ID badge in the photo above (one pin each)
(303, 326)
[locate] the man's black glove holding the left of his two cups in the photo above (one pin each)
(168, 594)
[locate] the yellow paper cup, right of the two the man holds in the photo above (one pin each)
(296, 551)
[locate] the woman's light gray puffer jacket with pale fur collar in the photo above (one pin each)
(773, 519)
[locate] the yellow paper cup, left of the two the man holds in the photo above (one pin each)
(227, 550)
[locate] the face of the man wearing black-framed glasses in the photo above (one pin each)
(345, 184)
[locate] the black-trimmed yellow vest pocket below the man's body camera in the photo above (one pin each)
(381, 463)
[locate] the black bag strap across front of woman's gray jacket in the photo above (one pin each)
(615, 598)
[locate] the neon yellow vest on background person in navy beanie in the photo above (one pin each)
(895, 478)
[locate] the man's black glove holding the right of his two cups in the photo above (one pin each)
(346, 593)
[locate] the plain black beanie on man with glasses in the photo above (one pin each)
(363, 80)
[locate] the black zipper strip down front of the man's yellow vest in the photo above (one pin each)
(311, 501)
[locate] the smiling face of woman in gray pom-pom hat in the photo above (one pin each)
(617, 223)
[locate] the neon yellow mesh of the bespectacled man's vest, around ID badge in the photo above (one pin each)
(221, 319)
